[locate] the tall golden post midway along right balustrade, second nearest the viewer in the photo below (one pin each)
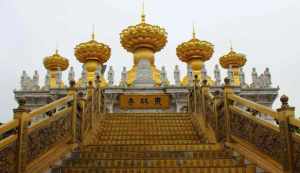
(227, 91)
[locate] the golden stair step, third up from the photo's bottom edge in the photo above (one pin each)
(154, 155)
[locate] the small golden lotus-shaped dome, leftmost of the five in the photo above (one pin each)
(55, 62)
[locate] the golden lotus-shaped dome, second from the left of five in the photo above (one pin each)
(92, 50)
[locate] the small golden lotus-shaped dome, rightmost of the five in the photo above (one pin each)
(234, 59)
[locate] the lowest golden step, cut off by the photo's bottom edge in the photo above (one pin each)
(236, 169)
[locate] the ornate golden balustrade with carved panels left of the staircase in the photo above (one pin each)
(32, 146)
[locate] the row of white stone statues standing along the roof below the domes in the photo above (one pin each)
(32, 83)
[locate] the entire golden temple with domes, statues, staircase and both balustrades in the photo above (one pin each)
(144, 123)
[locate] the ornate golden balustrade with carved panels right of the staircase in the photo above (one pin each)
(274, 146)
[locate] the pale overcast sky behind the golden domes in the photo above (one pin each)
(267, 31)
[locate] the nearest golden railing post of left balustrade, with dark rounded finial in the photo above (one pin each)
(19, 114)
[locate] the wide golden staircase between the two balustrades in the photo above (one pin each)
(150, 143)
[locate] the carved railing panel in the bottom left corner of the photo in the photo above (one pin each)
(8, 158)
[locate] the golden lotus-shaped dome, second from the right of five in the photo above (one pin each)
(195, 49)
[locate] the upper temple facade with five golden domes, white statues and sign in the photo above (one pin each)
(143, 81)
